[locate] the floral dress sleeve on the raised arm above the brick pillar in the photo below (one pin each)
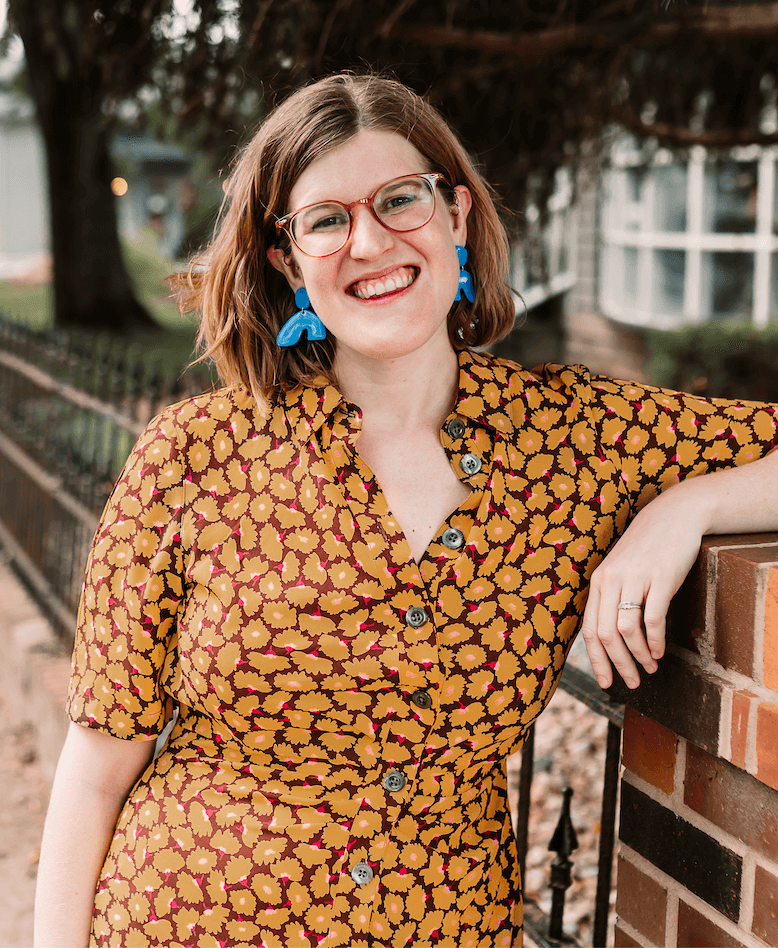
(657, 437)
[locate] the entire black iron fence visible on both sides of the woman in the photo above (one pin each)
(71, 407)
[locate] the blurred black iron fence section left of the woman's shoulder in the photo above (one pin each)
(71, 407)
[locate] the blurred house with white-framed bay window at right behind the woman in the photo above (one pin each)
(667, 241)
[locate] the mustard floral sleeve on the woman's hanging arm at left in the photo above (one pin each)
(133, 588)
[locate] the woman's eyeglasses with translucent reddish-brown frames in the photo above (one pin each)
(400, 205)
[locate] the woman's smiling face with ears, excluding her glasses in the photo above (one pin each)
(384, 295)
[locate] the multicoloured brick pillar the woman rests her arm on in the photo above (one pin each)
(698, 864)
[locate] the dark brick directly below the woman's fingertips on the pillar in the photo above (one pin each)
(684, 699)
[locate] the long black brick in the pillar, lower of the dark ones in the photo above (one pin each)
(695, 860)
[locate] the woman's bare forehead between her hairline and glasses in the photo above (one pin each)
(356, 168)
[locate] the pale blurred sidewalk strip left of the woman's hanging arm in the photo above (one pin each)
(33, 682)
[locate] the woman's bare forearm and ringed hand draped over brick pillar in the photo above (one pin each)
(650, 561)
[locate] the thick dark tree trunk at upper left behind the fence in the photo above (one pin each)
(91, 286)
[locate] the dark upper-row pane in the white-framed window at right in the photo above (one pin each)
(730, 197)
